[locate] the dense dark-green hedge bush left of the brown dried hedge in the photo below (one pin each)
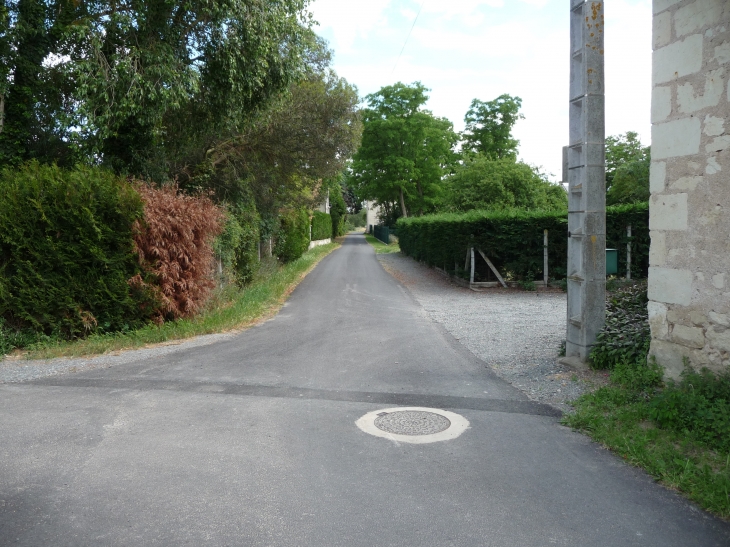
(66, 251)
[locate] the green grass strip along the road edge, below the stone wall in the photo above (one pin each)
(619, 419)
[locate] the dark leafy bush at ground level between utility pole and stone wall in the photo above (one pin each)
(626, 336)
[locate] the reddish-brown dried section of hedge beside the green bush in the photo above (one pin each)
(174, 243)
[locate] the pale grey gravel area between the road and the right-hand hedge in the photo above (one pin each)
(516, 333)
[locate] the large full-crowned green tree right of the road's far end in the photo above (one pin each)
(405, 151)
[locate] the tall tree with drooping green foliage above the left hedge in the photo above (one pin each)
(111, 76)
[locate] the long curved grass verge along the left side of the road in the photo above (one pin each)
(230, 309)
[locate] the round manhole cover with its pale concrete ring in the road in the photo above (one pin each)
(416, 425)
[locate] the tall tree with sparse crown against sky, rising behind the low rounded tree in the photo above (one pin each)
(489, 127)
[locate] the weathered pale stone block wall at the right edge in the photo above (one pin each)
(689, 274)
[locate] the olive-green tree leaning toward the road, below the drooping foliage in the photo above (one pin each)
(287, 153)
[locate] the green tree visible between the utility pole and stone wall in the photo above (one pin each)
(627, 169)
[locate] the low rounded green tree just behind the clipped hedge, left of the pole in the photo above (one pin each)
(484, 183)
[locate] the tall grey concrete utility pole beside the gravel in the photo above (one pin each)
(586, 181)
